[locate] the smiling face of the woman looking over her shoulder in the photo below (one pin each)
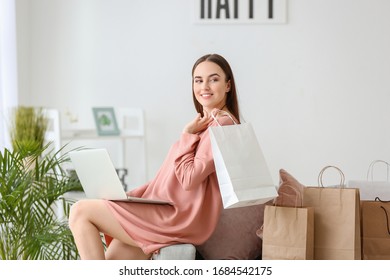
(210, 85)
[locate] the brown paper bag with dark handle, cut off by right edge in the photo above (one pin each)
(375, 229)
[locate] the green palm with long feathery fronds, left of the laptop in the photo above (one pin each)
(31, 198)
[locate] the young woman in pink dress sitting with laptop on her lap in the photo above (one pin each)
(187, 178)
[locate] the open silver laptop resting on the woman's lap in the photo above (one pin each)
(99, 178)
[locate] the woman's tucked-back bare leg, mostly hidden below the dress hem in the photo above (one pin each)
(121, 251)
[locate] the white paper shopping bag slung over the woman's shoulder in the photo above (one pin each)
(243, 175)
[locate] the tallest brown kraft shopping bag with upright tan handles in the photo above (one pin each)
(337, 234)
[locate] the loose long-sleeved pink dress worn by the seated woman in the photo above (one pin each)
(187, 177)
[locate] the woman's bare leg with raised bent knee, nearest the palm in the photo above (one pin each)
(87, 219)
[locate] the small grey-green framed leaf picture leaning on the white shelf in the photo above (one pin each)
(105, 121)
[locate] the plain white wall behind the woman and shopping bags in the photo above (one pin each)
(316, 89)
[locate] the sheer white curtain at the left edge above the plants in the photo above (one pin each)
(8, 68)
